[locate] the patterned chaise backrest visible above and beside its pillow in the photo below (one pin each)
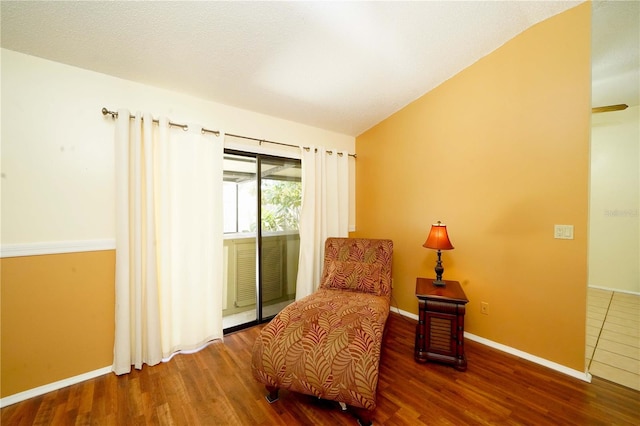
(364, 250)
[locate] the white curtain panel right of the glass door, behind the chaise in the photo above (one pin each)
(324, 212)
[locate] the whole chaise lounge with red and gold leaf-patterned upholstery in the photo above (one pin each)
(328, 344)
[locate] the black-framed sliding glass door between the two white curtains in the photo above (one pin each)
(261, 257)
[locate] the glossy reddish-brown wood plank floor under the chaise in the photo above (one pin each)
(215, 387)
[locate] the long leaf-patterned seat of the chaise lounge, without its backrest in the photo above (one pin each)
(327, 344)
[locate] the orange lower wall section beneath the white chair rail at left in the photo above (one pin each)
(57, 317)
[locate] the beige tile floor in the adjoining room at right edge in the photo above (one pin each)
(613, 336)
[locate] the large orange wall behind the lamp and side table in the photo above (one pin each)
(499, 153)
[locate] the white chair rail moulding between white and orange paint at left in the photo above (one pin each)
(55, 247)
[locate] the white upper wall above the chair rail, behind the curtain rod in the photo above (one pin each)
(57, 148)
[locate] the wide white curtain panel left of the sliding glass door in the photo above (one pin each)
(169, 240)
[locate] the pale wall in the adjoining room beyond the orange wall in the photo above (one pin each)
(614, 219)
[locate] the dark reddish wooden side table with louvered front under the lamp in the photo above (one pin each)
(440, 329)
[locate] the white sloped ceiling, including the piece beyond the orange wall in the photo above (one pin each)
(341, 66)
